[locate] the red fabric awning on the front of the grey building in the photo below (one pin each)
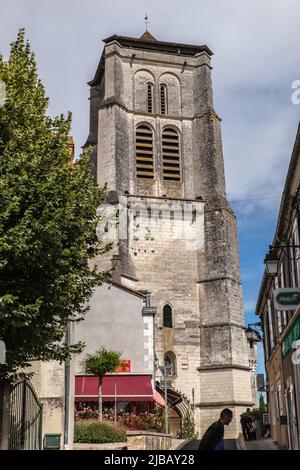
(123, 387)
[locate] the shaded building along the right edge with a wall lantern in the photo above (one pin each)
(282, 327)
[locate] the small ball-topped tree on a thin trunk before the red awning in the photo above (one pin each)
(100, 363)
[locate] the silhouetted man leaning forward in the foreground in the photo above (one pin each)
(213, 438)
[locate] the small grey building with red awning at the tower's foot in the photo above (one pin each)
(122, 320)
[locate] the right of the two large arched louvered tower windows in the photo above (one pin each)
(171, 155)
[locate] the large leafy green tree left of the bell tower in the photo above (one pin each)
(48, 221)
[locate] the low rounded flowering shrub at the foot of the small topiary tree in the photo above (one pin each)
(98, 432)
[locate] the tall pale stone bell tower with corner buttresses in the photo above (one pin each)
(156, 144)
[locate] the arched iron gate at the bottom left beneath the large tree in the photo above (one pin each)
(25, 430)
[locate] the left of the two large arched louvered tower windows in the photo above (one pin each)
(144, 152)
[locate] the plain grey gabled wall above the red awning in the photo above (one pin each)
(117, 320)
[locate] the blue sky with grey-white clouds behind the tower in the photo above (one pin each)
(256, 47)
